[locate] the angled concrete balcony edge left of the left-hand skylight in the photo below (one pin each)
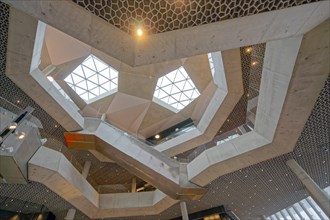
(23, 56)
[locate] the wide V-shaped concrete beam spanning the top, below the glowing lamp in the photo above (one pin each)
(233, 33)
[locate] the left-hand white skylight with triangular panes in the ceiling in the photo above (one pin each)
(92, 78)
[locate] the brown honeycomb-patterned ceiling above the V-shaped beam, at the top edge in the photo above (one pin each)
(161, 16)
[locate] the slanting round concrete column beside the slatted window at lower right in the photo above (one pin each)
(319, 195)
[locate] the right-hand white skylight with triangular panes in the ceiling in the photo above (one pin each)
(176, 89)
